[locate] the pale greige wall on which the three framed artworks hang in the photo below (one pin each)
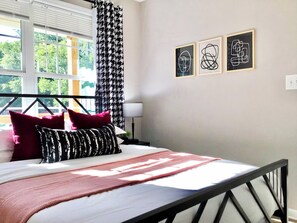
(246, 116)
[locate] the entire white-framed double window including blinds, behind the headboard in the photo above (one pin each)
(58, 60)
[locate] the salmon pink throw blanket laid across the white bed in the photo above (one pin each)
(20, 199)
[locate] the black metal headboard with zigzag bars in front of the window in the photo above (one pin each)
(38, 97)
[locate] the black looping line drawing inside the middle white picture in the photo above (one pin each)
(210, 55)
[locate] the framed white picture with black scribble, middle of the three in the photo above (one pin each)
(210, 56)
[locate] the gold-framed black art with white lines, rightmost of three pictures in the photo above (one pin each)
(240, 51)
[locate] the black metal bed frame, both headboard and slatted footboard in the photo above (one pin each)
(274, 175)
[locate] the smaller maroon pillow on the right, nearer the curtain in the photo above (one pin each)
(84, 121)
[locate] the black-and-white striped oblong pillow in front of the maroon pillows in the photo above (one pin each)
(58, 145)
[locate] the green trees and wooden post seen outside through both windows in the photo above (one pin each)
(63, 64)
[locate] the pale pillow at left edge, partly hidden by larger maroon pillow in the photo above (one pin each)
(6, 145)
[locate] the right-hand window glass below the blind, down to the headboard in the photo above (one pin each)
(64, 65)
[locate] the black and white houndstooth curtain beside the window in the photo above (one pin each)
(110, 60)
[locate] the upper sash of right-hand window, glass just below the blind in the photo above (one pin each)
(58, 53)
